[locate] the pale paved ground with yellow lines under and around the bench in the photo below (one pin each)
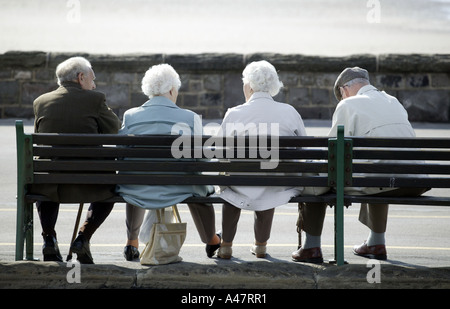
(418, 247)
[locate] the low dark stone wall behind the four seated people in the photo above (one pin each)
(211, 83)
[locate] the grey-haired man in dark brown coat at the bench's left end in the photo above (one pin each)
(73, 108)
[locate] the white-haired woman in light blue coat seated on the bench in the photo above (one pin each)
(158, 116)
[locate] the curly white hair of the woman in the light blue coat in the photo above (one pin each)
(160, 79)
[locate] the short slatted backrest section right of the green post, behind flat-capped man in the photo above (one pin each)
(400, 162)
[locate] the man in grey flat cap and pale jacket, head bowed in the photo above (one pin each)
(364, 111)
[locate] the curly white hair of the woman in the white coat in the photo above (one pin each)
(262, 76)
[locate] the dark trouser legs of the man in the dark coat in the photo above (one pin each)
(97, 213)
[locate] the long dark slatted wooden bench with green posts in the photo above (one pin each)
(327, 162)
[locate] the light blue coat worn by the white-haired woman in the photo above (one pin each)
(158, 116)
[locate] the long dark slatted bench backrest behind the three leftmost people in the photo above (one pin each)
(127, 159)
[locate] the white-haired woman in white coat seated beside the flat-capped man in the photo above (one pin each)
(260, 111)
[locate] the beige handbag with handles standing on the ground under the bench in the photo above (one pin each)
(165, 240)
